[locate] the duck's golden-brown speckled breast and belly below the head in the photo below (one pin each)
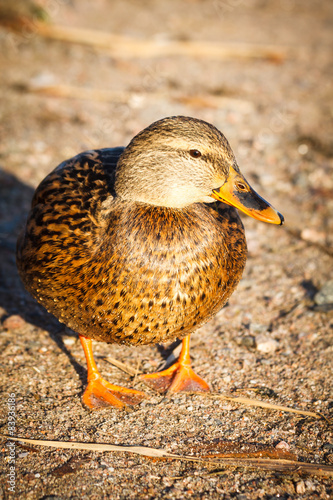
(158, 274)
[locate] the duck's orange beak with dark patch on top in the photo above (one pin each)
(237, 191)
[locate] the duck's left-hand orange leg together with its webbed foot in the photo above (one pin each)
(100, 393)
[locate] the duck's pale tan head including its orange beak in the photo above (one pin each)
(178, 161)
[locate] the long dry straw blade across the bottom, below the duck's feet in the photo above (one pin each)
(281, 465)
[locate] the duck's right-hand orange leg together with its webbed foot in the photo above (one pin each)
(179, 377)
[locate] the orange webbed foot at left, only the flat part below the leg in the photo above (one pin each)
(101, 394)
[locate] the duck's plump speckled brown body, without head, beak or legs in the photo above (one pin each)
(122, 271)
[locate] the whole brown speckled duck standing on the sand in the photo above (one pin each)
(141, 244)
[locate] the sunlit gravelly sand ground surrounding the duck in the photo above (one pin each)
(272, 342)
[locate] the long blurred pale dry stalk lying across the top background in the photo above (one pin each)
(121, 46)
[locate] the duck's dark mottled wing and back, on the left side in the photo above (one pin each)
(66, 208)
